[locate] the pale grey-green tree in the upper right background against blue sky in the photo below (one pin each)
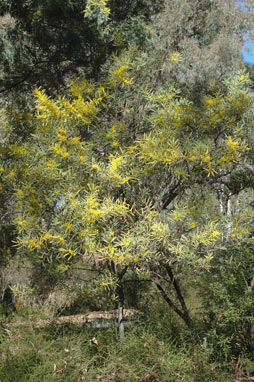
(207, 38)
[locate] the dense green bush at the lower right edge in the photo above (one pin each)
(228, 301)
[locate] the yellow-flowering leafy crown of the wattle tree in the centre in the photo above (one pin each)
(91, 185)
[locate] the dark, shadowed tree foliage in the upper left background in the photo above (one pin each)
(44, 43)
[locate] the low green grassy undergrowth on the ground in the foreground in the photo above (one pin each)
(74, 355)
